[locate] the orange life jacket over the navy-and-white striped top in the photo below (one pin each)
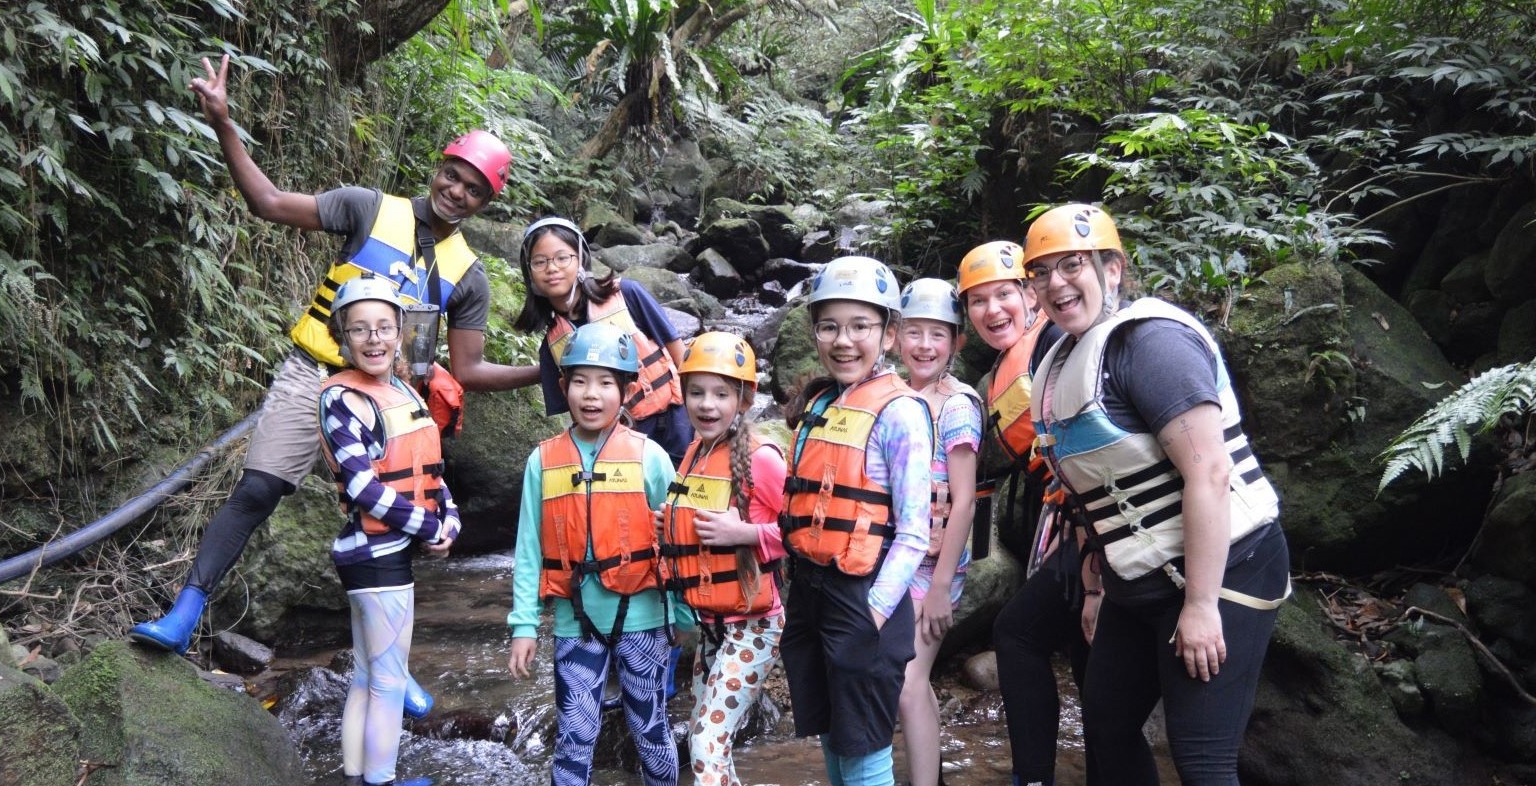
(412, 463)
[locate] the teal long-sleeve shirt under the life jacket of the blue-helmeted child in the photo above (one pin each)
(601, 604)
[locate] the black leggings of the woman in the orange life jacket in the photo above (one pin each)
(1038, 623)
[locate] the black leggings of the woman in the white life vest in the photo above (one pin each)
(1133, 665)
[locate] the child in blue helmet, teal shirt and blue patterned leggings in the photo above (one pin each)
(588, 544)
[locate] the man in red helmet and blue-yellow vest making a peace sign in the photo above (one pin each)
(412, 243)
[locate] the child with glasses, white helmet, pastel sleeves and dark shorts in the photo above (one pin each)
(856, 526)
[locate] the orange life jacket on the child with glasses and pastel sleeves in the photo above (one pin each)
(835, 514)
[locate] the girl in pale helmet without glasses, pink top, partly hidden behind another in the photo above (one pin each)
(929, 342)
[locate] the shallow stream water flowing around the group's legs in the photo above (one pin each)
(492, 730)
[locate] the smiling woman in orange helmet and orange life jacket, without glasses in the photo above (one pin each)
(1042, 618)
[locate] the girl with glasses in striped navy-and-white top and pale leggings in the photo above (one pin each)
(385, 454)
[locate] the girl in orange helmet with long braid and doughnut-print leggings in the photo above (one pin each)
(723, 547)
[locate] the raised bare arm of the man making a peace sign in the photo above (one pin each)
(265, 200)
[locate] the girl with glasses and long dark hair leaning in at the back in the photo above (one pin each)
(564, 296)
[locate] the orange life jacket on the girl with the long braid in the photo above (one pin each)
(707, 575)
